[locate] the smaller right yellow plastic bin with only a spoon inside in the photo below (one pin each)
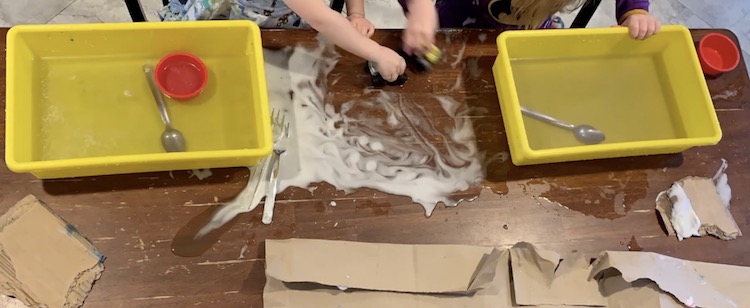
(648, 97)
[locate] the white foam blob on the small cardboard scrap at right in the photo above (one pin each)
(684, 220)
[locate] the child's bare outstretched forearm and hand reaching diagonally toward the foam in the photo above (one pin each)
(338, 29)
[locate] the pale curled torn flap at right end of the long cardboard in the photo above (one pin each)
(675, 276)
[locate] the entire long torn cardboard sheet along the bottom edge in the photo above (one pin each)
(307, 273)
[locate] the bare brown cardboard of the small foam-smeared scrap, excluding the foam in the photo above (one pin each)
(714, 216)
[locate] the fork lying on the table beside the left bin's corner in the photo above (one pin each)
(280, 134)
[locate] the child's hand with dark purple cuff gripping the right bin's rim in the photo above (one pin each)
(634, 15)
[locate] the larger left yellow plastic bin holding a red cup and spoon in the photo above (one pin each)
(79, 104)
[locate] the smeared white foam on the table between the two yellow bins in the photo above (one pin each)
(379, 141)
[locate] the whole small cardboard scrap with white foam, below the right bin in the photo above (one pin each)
(694, 207)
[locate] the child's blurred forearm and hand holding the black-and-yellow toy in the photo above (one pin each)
(421, 24)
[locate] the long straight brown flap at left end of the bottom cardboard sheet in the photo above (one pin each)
(352, 265)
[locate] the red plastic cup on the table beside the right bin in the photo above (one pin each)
(718, 54)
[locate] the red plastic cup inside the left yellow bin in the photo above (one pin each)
(181, 75)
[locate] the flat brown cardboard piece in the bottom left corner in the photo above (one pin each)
(43, 260)
